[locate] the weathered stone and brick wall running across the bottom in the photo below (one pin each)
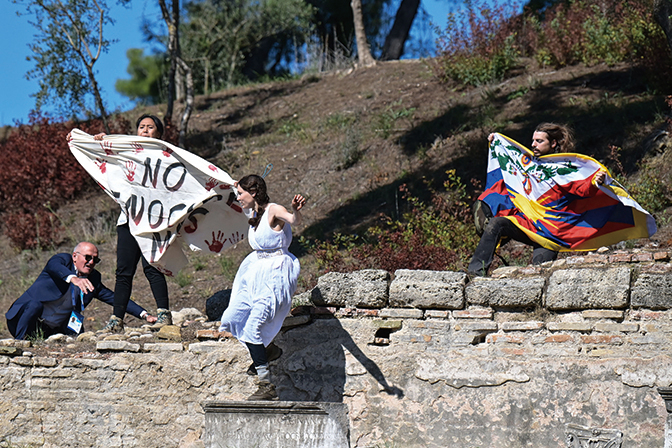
(422, 359)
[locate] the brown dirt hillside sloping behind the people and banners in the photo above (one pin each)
(347, 140)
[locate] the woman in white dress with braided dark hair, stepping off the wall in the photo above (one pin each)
(262, 291)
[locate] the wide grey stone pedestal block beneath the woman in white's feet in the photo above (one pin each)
(277, 424)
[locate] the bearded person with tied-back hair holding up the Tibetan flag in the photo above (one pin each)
(547, 139)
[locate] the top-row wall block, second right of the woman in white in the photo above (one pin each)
(428, 289)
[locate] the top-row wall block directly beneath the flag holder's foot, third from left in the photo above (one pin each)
(505, 292)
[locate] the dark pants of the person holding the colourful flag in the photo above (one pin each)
(496, 229)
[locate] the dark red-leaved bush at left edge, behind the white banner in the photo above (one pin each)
(38, 175)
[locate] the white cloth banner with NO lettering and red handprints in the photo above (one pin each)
(167, 195)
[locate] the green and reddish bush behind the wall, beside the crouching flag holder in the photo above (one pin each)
(436, 236)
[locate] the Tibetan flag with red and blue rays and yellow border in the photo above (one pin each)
(554, 200)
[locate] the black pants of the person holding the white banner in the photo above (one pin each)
(128, 255)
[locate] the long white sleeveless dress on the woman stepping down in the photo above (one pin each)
(262, 291)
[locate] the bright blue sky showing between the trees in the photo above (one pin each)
(16, 33)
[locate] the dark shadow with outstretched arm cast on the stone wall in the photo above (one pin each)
(314, 368)
